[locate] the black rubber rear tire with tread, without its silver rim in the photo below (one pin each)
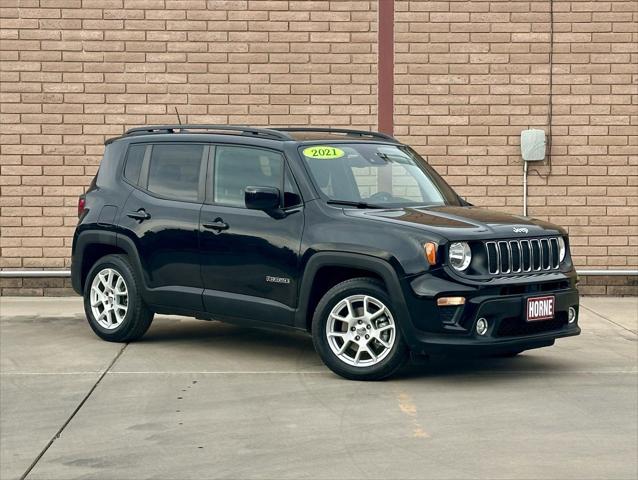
(138, 317)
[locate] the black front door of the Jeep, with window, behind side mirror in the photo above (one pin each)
(250, 259)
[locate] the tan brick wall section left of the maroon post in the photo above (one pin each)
(75, 72)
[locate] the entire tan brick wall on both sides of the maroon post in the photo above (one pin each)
(469, 76)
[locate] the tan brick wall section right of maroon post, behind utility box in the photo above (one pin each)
(471, 75)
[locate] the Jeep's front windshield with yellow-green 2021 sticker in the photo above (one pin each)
(375, 174)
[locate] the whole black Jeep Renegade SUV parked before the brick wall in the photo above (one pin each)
(349, 235)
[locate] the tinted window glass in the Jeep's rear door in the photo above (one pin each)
(175, 171)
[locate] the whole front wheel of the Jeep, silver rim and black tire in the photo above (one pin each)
(355, 332)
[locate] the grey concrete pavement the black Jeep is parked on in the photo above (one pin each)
(199, 399)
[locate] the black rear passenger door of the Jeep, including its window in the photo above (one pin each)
(165, 230)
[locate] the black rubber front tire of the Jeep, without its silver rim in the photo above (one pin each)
(392, 362)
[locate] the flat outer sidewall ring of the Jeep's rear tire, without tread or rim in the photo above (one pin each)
(118, 264)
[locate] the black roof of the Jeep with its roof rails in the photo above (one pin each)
(277, 133)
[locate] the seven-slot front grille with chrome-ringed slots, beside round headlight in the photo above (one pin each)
(521, 256)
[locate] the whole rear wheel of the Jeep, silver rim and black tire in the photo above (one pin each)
(112, 302)
